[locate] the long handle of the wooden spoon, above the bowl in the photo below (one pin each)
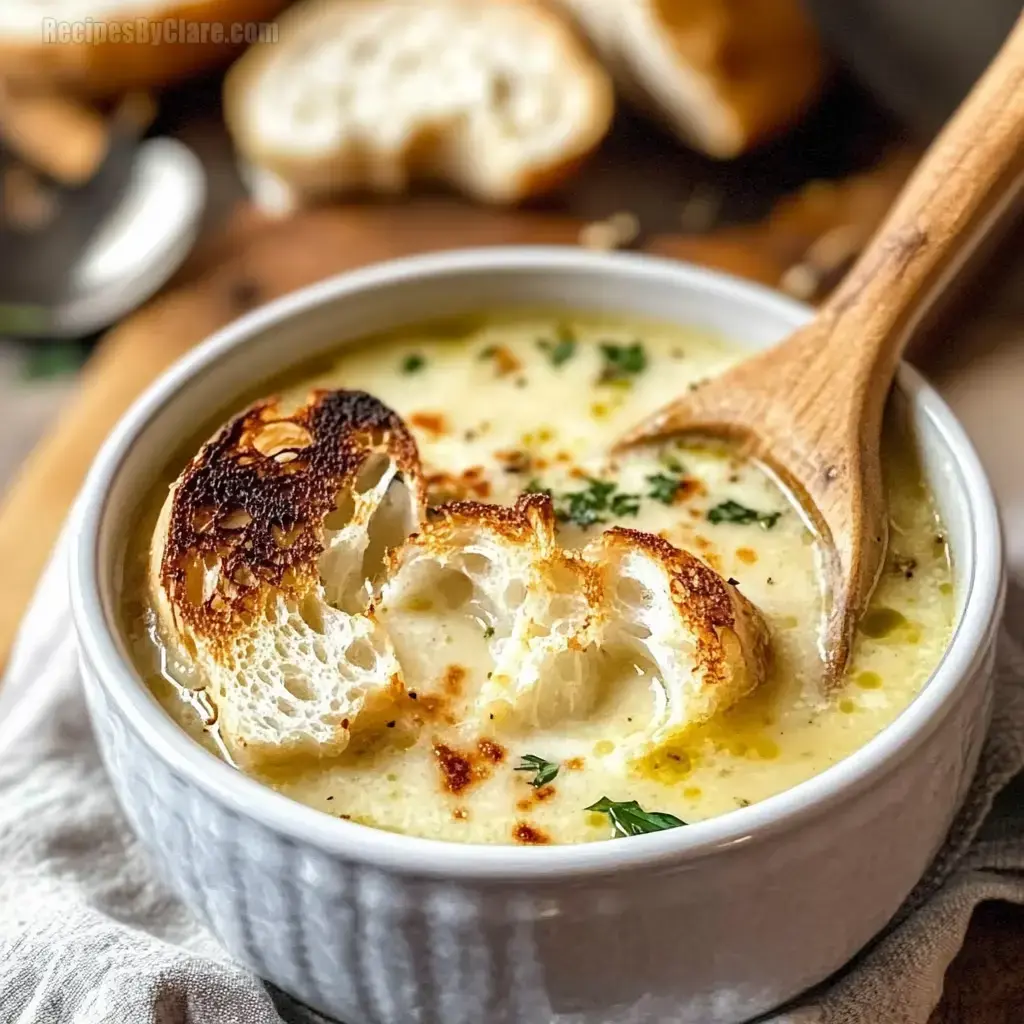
(965, 185)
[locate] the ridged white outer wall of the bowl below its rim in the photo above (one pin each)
(716, 942)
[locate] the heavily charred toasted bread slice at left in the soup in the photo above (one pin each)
(262, 568)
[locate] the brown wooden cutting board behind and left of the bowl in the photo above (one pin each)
(251, 263)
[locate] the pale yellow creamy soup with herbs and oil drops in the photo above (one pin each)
(528, 403)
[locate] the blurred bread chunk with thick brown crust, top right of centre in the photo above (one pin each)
(723, 76)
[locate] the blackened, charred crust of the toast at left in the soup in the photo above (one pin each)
(252, 504)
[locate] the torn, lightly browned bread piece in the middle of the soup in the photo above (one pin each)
(560, 618)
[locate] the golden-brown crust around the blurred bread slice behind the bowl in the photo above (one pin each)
(317, 177)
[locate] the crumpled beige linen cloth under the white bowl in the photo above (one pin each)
(90, 936)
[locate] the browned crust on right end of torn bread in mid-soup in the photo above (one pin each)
(714, 611)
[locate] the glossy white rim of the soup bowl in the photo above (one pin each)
(440, 859)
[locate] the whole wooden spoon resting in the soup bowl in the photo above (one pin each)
(812, 408)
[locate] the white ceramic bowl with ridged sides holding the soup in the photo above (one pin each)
(712, 924)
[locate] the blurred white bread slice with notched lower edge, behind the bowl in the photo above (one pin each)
(496, 98)
